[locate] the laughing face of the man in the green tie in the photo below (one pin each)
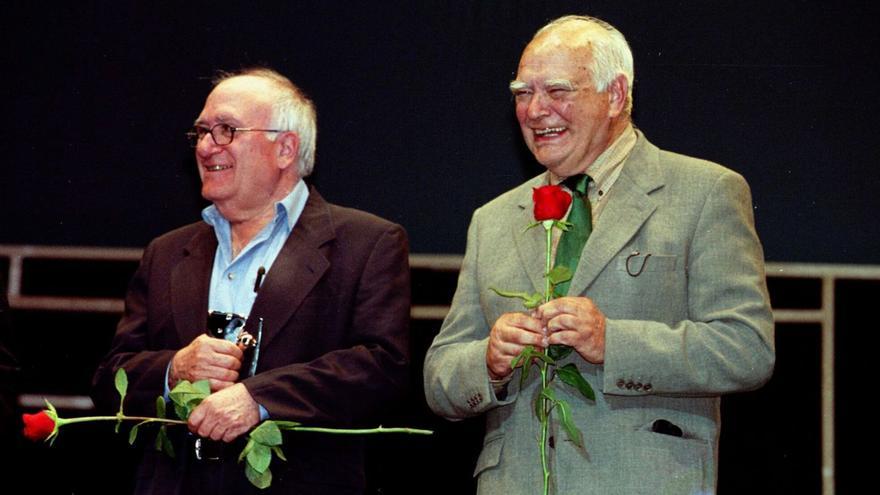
(564, 121)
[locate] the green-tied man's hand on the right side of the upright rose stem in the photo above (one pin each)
(575, 322)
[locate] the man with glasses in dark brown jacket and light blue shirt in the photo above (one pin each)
(329, 286)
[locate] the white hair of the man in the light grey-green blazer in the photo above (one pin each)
(611, 53)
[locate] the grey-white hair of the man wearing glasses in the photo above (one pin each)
(292, 110)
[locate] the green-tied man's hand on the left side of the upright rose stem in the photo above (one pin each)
(509, 336)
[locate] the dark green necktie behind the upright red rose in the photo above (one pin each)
(568, 252)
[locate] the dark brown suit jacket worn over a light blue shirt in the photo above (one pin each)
(335, 307)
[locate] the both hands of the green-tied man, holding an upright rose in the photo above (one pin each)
(571, 321)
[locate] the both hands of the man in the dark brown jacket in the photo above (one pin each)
(230, 410)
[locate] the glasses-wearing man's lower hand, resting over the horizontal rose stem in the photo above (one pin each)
(225, 415)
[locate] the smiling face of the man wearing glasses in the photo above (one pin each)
(248, 175)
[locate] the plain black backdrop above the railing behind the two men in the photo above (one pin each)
(415, 121)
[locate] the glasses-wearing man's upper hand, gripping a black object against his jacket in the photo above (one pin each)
(207, 358)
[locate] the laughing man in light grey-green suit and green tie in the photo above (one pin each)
(667, 308)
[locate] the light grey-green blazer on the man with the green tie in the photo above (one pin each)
(694, 324)
